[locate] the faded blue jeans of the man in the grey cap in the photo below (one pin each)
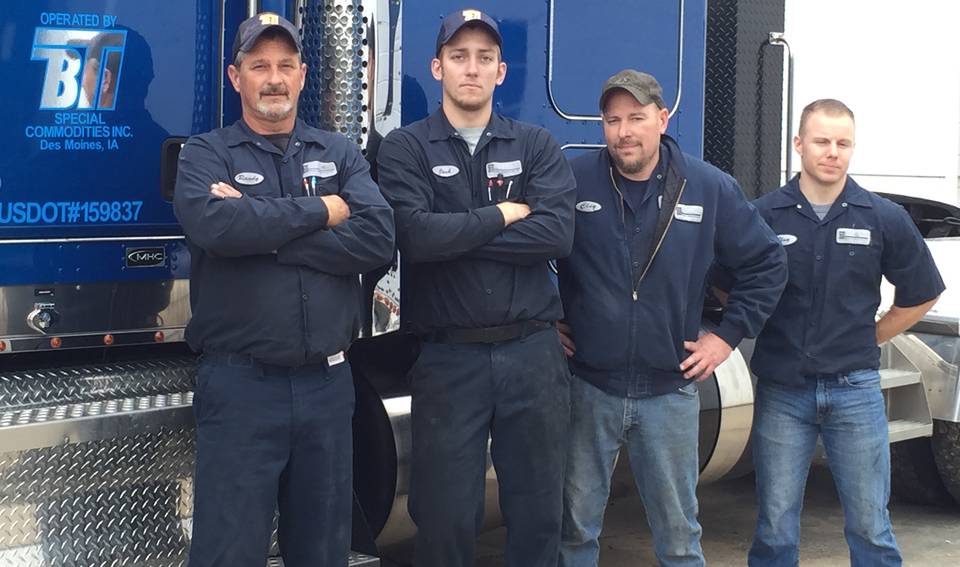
(660, 435)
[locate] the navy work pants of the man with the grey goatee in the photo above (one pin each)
(267, 438)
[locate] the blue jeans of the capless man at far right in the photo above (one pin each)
(848, 413)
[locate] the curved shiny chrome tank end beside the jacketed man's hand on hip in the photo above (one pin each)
(736, 417)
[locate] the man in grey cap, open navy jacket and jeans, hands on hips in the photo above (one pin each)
(650, 222)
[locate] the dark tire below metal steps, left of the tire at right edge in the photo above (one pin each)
(914, 477)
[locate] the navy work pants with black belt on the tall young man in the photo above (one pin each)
(517, 395)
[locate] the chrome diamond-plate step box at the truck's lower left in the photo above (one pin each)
(96, 465)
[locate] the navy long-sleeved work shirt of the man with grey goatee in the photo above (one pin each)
(268, 277)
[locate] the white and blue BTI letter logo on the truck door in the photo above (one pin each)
(83, 67)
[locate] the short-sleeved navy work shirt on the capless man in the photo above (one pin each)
(825, 321)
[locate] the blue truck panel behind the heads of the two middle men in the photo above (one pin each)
(590, 43)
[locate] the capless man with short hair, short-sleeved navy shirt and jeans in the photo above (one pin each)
(816, 360)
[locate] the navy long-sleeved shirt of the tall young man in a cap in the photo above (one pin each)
(461, 268)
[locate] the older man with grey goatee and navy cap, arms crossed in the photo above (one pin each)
(280, 218)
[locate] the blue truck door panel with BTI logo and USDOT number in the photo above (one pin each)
(100, 85)
